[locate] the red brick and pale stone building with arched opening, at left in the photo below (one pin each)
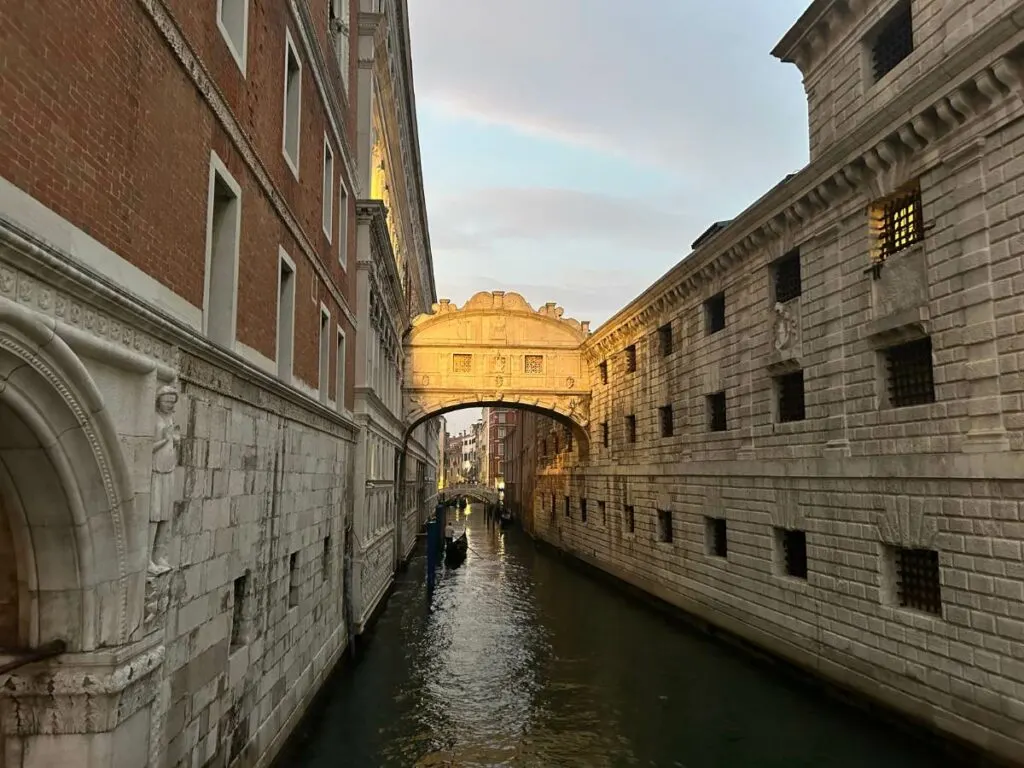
(180, 318)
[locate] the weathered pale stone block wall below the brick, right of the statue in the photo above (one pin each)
(257, 617)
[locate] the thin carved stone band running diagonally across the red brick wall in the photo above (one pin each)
(168, 27)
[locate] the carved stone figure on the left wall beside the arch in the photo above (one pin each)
(165, 454)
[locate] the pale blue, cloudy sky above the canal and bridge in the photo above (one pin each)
(573, 150)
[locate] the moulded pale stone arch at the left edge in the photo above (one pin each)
(67, 494)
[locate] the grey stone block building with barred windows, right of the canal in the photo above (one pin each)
(808, 433)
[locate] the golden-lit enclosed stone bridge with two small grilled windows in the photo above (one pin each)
(497, 350)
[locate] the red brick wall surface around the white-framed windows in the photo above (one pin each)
(101, 123)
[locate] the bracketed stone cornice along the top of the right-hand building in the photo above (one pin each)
(872, 160)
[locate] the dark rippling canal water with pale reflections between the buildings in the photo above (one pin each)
(526, 662)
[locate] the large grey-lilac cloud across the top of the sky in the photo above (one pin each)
(689, 89)
